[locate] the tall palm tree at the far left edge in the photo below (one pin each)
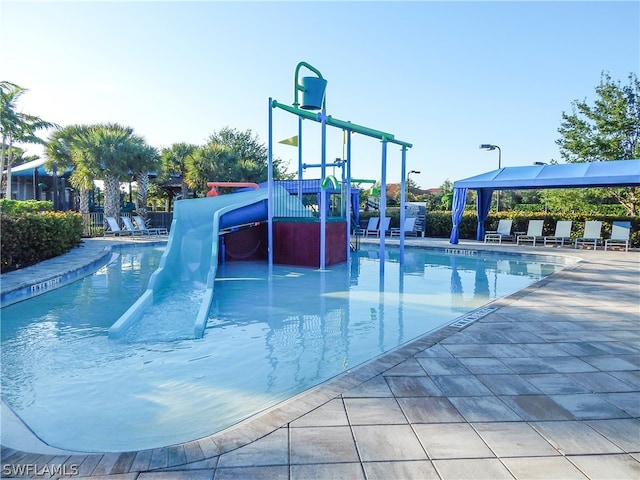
(16, 127)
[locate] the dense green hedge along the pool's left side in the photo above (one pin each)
(29, 238)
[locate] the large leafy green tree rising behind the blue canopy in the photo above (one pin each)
(608, 130)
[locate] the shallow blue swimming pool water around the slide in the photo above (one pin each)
(265, 341)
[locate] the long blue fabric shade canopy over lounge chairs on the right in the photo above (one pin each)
(619, 173)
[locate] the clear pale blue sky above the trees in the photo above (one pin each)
(444, 76)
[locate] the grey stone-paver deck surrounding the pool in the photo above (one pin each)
(547, 385)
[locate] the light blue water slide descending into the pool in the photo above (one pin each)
(188, 266)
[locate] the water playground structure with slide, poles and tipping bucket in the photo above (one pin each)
(312, 233)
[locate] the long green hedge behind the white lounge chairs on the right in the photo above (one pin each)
(439, 224)
